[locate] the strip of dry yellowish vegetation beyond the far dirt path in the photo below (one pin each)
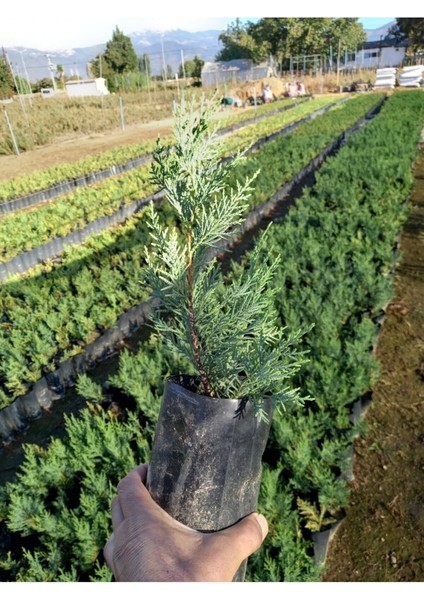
(40, 121)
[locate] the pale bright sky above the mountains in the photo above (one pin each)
(53, 25)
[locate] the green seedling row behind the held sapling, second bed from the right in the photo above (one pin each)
(52, 313)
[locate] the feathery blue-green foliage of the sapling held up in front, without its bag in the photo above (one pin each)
(225, 327)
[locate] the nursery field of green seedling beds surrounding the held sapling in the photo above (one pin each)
(350, 278)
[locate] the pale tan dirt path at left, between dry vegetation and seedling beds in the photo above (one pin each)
(71, 150)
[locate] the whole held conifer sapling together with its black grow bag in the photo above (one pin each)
(205, 466)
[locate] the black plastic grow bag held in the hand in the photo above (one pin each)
(206, 462)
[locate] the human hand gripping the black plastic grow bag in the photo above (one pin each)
(147, 544)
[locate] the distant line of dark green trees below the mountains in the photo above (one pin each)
(279, 37)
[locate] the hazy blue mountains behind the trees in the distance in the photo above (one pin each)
(163, 47)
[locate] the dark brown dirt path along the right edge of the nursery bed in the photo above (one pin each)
(382, 536)
